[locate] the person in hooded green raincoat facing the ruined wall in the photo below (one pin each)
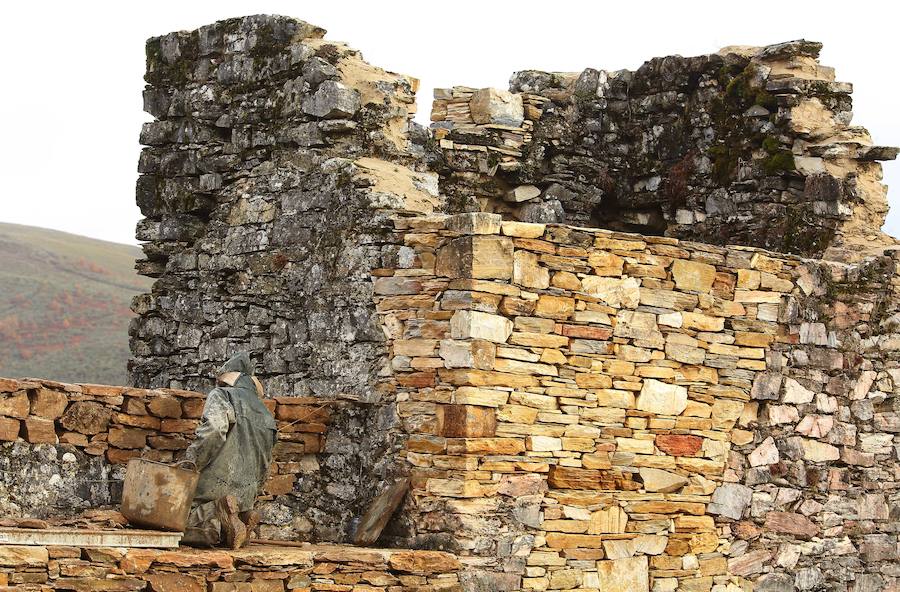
(233, 452)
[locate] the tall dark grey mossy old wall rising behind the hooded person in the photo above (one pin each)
(269, 176)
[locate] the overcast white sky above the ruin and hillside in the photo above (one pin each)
(71, 97)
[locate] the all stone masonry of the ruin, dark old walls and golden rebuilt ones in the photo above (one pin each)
(622, 331)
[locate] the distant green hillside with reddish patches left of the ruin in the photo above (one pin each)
(64, 305)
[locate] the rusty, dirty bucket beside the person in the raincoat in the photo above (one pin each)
(158, 496)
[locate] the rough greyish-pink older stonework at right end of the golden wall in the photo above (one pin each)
(812, 485)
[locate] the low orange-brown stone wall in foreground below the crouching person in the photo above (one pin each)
(256, 569)
